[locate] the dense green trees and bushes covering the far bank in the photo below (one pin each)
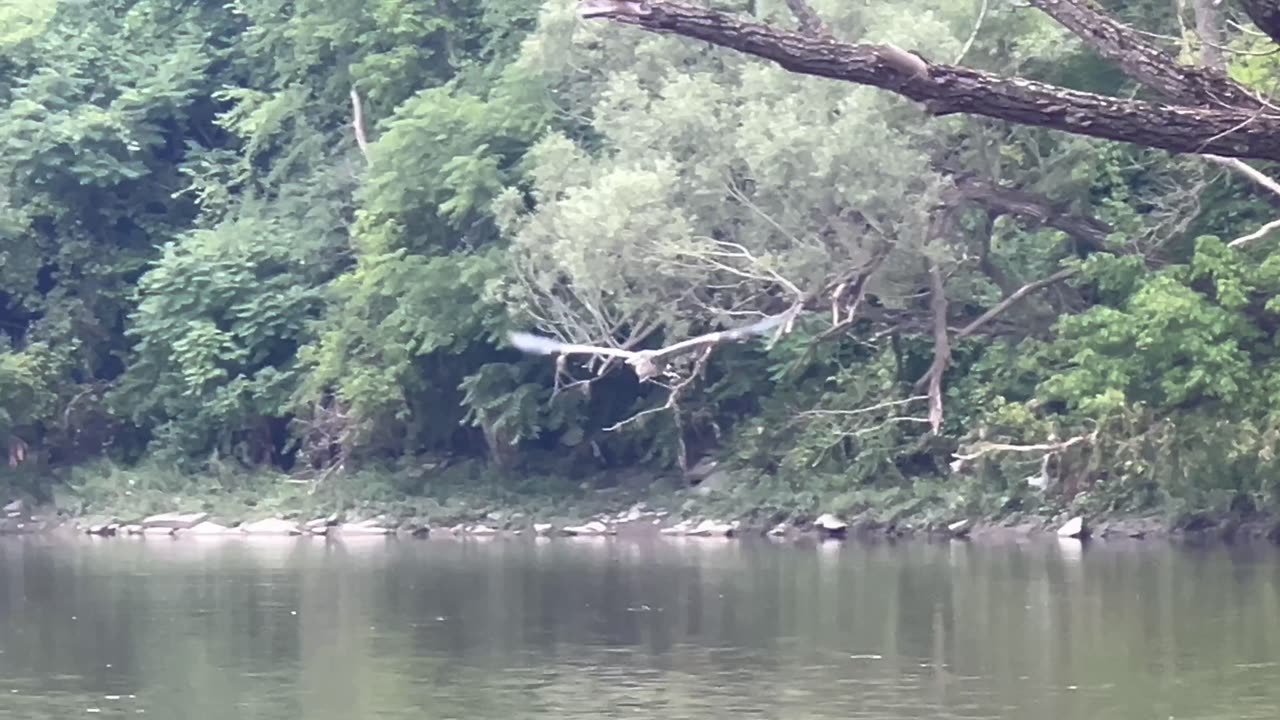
(263, 257)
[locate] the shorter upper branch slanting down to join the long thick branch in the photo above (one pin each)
(1153, 67)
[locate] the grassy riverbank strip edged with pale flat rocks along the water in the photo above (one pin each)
(472, 500)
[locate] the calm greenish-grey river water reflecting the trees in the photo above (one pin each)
(204, 628)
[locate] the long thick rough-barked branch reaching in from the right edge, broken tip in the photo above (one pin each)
(949, 89)
